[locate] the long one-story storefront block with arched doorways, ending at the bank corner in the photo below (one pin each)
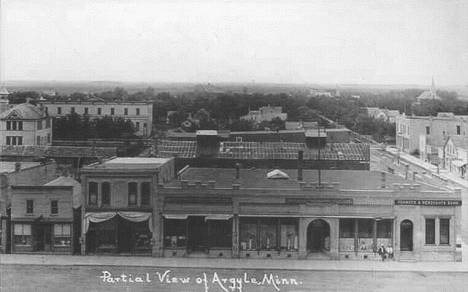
(347, 215)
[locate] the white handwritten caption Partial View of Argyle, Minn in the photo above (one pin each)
(204, 280)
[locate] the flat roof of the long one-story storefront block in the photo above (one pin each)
(258, 179)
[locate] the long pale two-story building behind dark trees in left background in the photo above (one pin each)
(139, 113)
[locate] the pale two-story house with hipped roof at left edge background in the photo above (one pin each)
(25, 124)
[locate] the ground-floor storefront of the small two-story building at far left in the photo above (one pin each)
(42, 237)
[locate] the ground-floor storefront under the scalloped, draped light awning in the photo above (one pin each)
(118, 233)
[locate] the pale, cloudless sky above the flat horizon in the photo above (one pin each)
(321, 41)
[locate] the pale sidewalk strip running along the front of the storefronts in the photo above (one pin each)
(243, 264)
